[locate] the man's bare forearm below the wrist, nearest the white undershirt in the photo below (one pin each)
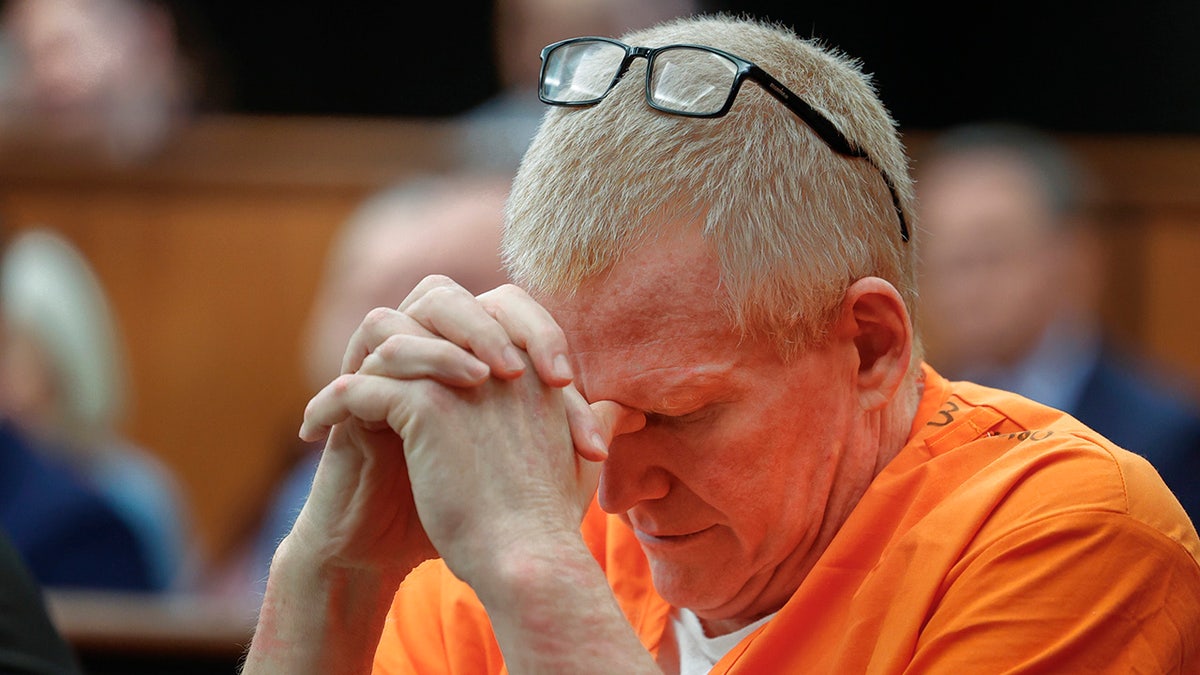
(557, 614)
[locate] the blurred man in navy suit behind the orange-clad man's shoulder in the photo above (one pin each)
(1012, 277)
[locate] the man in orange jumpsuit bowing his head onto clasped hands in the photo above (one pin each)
(781, 486)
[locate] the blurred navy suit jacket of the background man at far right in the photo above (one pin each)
(1127, 402)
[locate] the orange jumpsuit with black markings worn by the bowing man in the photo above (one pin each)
(1005, 537)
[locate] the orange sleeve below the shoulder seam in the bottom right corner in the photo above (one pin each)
(1077, 593)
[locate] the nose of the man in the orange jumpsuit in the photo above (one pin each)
(633, 474)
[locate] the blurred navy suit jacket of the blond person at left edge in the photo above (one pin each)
(65, 531)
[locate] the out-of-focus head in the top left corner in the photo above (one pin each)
(110, 79)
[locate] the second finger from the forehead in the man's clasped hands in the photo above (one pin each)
(449, 310)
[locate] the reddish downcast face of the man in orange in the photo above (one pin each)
(743, 470)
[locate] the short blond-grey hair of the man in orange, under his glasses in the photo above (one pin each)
(791, 222)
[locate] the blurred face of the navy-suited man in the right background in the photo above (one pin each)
(997, 266)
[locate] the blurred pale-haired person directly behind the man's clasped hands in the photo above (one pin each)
(428, 224)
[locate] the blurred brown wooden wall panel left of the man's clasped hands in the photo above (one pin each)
(211, 256)
